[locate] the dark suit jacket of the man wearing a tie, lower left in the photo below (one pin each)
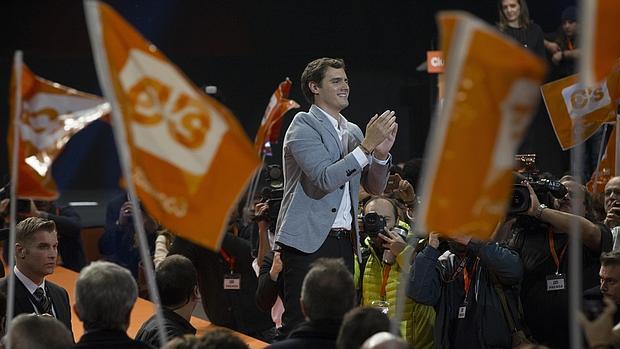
(59, 296)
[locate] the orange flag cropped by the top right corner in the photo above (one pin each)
(598, 41)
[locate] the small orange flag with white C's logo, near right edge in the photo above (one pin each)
(577, 112)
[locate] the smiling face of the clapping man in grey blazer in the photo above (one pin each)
(333, 91)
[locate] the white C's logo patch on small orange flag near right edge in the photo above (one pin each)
(582, 101)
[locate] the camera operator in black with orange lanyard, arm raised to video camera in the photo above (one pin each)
(540, 235)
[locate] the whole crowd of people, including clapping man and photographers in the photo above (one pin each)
(332, 258)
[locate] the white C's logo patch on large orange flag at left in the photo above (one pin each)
(169, 118)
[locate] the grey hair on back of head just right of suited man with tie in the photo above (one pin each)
(104, 295)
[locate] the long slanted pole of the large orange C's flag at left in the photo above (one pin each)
(91, 9)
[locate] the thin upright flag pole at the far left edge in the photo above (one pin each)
(10, 302)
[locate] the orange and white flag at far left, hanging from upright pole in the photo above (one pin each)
(49, 115)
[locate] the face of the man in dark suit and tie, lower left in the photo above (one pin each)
(37, 257)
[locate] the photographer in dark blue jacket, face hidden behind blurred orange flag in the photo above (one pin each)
(462, 285)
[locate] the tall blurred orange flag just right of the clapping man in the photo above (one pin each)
(488, 106)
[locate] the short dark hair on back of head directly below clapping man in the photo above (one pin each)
(328, 290)
